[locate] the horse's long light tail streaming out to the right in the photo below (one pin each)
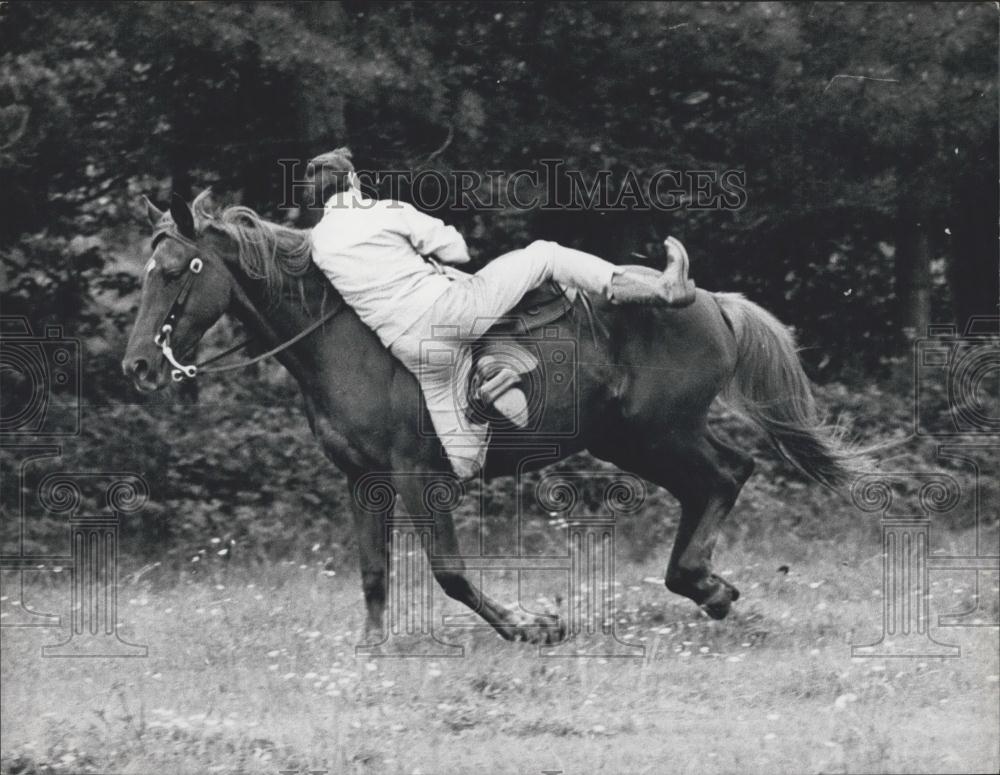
(770, 388)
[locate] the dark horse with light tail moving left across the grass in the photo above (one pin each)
(646, 378)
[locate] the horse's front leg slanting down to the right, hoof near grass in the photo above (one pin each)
(445, 559)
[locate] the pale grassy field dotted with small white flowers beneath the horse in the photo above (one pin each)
(254, 670)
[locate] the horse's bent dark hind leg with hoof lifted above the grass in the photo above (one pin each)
(706, 476)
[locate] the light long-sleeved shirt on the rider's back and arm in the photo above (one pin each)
(371, 250)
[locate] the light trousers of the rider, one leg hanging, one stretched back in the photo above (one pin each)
(436, 347)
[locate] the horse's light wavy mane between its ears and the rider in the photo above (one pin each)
(267, 251)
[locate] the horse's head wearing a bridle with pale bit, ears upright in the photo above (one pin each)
(186, 289)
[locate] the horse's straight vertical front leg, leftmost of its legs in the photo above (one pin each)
(369, 529)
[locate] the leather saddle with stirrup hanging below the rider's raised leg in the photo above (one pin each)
(505, 355)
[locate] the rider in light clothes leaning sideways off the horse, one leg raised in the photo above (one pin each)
(378, 255)
